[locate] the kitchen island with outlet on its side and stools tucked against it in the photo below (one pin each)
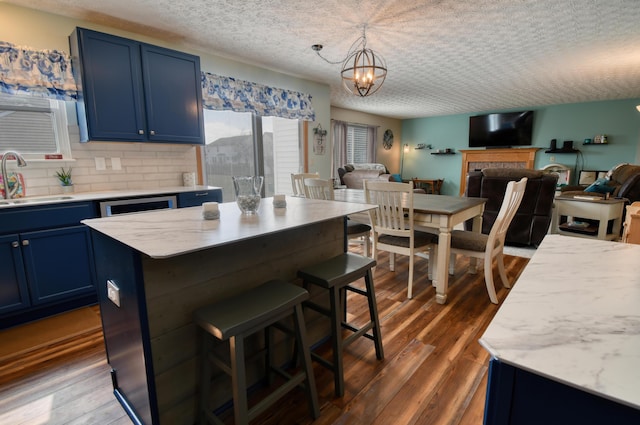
(160, 266)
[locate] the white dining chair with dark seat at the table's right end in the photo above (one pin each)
(491, 246)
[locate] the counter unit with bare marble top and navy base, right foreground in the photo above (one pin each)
(565, 344)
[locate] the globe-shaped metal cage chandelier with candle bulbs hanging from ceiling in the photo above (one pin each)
(363, 70)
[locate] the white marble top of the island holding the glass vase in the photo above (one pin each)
(168, 233)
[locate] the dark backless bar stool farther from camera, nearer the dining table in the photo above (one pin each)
(336, 275)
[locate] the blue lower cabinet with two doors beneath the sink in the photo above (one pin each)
(46, 261)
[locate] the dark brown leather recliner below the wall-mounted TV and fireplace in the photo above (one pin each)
(532, 220)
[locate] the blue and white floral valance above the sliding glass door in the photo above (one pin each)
(228, 94)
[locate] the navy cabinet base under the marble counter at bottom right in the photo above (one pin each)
(519, 397)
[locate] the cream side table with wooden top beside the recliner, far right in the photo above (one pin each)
(569, 209)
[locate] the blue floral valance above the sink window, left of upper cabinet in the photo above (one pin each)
(45, 73)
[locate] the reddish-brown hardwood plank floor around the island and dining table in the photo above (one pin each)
(434, 371)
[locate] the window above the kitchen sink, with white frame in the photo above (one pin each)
(33, 126)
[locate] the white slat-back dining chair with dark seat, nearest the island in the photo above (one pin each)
(392, 225)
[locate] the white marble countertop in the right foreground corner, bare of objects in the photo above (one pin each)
(574, 317)
